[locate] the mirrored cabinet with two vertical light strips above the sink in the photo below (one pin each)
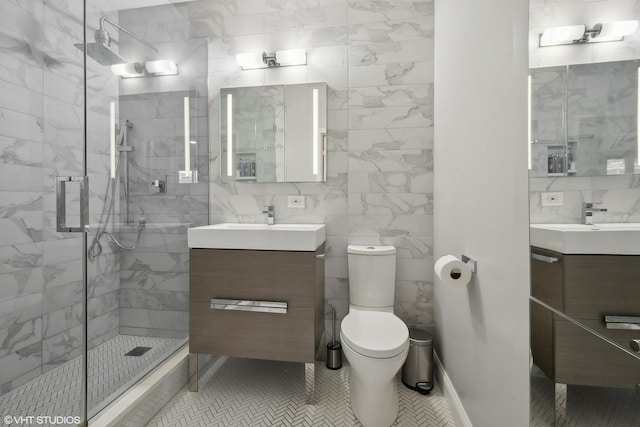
(274, 133)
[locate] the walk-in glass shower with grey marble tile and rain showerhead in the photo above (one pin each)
(85, 311)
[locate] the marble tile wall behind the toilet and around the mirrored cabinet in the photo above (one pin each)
(377, 59)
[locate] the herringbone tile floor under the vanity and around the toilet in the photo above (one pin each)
(246, 392)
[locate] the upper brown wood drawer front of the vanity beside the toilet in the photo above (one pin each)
(253, 275)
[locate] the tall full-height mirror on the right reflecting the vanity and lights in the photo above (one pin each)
(584, 213)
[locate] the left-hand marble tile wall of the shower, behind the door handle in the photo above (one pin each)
(41, 137)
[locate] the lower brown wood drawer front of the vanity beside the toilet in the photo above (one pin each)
(272, 336)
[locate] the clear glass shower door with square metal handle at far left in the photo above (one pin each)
(42, 299)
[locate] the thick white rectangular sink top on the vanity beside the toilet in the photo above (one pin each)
(276, 237)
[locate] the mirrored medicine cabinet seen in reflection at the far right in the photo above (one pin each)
(584, 119)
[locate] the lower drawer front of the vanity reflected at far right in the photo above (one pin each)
(583, 359)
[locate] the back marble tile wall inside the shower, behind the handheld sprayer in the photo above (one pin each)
(154, 279)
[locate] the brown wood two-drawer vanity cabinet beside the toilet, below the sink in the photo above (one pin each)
(295, 278)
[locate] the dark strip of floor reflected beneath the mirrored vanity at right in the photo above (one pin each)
(586, 406)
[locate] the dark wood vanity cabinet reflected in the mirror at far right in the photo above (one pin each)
(586, 288)
